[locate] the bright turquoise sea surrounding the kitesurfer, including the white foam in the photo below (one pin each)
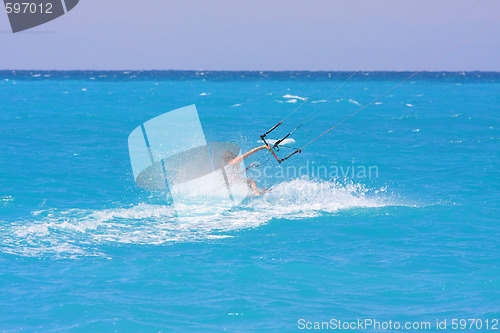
(83, 249)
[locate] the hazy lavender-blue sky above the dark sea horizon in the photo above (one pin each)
(275, 35)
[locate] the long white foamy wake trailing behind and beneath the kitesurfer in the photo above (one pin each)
(77, 233)
